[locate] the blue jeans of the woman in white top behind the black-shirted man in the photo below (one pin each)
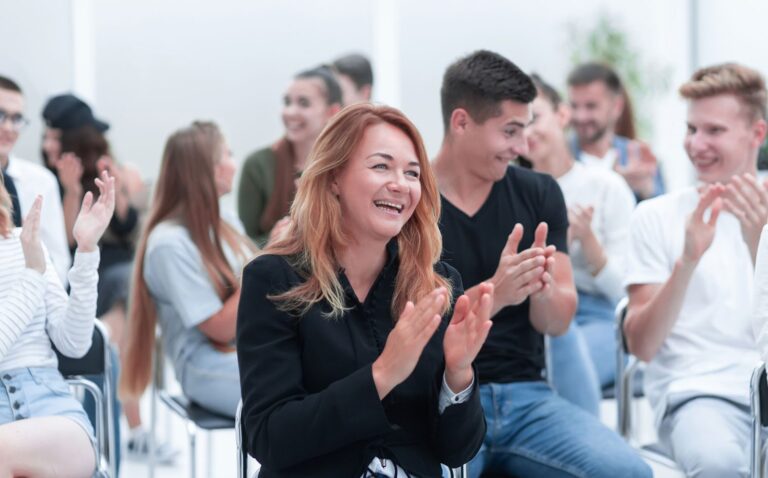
(584, 359)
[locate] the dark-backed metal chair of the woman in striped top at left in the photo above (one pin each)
(96, 362)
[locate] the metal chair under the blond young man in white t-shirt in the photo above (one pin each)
(627, 366)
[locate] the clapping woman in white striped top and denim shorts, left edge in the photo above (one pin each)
(43, 428)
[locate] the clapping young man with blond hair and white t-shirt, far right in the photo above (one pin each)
(690, 267)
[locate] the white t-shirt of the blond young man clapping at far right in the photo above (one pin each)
(711, 348)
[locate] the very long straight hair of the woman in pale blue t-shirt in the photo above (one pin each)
(186, 191)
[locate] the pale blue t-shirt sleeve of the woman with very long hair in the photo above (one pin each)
(175, 274)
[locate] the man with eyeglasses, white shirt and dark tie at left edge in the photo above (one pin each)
(25, 180)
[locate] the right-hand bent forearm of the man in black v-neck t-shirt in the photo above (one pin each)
(552, 314)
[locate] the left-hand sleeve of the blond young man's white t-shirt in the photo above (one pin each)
(646, 259)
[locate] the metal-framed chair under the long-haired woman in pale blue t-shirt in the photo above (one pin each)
(194, 416)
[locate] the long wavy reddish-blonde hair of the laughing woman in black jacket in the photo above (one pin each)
(316, 229)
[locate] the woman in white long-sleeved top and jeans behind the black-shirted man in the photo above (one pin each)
(599, 208)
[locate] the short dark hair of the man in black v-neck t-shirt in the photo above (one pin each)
(479, 82)
